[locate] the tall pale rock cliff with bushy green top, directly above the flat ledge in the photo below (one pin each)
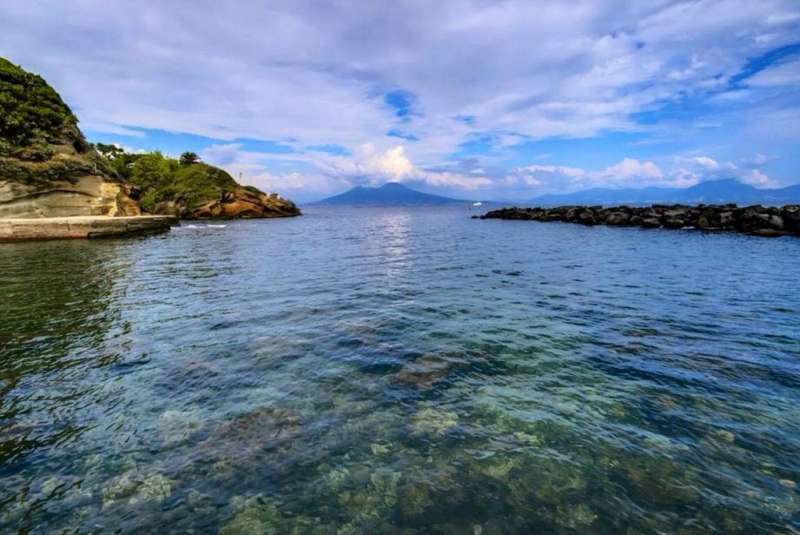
(47, 169)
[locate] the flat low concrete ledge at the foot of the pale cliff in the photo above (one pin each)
(54, 228)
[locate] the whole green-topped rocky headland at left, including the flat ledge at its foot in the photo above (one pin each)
(49, 174)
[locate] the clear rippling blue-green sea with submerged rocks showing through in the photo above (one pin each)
(401, 371)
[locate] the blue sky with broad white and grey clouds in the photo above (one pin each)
(478, 99)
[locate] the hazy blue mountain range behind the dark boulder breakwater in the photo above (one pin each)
(712, 192)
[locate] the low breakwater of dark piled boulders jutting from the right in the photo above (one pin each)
(756, 220)
